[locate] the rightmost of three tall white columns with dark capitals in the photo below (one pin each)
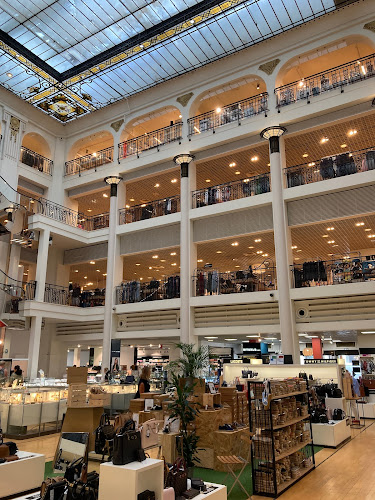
(289, 339)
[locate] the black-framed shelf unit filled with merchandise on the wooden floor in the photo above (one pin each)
(282, 449)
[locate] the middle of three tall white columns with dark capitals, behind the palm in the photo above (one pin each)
(188, 255)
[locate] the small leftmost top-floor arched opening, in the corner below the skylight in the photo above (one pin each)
(36, 153)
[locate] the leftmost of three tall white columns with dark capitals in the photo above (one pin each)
(110, 280)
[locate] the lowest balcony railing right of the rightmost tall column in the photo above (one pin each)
(333, 272)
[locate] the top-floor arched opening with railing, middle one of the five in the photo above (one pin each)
(151, 131)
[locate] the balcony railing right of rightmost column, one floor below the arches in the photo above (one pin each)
(331, 167)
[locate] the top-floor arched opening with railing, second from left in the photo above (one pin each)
(90, 152)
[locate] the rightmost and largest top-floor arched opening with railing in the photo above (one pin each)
(335, 65)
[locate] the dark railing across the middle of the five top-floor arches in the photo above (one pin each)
(150, 140)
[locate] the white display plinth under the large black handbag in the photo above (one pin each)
(131, 479)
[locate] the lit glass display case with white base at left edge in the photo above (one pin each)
(32, 409)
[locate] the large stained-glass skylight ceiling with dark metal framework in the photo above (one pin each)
(70, 58)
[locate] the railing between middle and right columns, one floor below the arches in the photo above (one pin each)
(229, 191)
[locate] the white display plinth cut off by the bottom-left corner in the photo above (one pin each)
(22, 475)
